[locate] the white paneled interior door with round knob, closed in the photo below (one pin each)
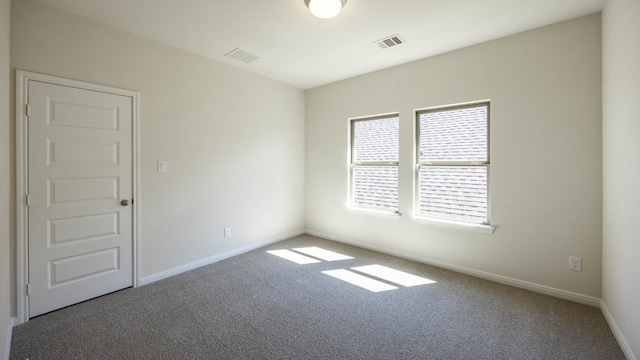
(80, 238)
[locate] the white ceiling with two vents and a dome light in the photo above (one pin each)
(298, 49)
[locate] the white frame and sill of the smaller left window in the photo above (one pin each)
(352, 163)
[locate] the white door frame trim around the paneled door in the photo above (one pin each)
(22, 178)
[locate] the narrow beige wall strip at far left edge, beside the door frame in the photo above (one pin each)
(5, 179)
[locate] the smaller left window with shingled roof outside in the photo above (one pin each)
(374, 163)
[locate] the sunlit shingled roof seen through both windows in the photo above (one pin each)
(450, 192)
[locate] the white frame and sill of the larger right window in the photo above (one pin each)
(484, 227)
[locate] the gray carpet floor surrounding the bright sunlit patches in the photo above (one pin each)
(260, 306)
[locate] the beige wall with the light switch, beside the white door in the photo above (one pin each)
(233, 141)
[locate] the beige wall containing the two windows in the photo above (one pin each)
(545, 91)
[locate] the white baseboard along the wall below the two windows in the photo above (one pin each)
(547, 290)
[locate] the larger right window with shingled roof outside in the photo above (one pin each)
(452, 170)
